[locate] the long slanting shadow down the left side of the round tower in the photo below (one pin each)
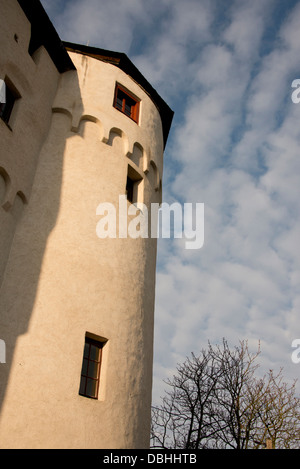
(21, 277)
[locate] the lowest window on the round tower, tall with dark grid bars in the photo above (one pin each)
(91, 365)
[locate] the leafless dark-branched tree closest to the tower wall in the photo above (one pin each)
(185, 418)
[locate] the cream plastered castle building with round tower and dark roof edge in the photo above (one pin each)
(80, 127)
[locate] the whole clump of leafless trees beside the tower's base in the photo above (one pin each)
(216, 401)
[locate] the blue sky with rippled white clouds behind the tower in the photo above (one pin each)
(226, 68)
